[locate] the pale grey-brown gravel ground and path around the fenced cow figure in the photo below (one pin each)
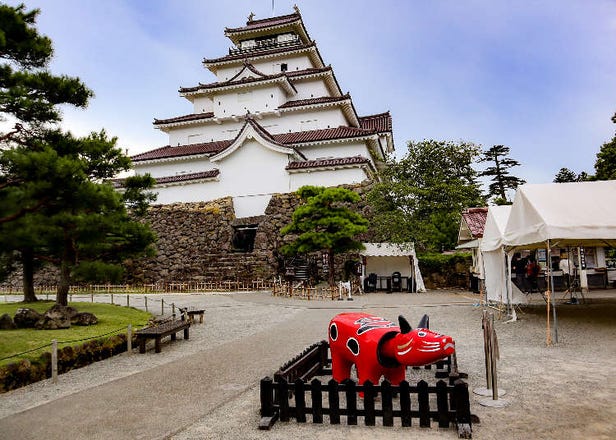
(561, 391)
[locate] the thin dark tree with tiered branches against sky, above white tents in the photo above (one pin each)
(501, 179)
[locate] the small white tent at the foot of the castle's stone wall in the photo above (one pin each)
(386, 258)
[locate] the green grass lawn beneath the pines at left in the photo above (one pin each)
(112, 319)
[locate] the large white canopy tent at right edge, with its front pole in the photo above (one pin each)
(562, 214)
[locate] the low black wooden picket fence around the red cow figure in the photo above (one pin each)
(290, 395)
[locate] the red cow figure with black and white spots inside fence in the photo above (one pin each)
(379, 347)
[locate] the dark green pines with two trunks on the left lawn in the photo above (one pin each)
(54, 203)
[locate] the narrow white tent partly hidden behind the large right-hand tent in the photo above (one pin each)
(498, 285)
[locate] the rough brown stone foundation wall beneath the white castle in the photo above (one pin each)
(195, 244)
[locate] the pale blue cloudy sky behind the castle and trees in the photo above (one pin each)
(537, 76)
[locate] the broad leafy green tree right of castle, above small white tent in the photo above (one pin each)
(420, 197)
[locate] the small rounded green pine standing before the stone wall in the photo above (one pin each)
(325, 222)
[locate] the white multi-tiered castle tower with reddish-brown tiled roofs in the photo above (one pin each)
(274, 120)
